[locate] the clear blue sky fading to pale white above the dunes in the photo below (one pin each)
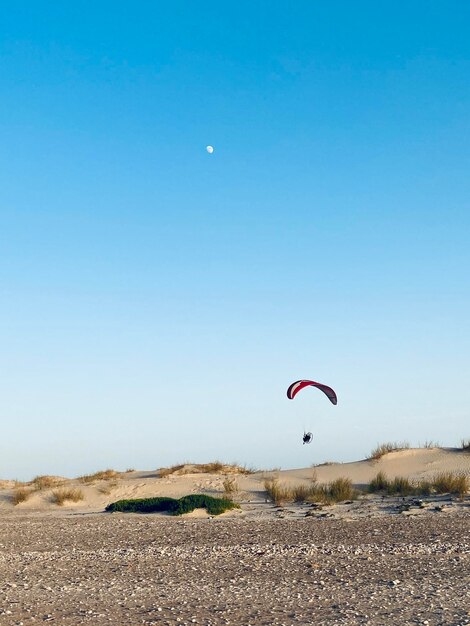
(156, 301)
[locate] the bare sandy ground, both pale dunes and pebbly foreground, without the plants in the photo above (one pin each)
(372, 561)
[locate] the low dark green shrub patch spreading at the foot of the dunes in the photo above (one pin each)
(186, 504)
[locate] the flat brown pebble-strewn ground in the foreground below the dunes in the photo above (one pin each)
(129, 569)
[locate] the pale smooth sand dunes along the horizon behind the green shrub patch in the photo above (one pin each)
(415, 464)
